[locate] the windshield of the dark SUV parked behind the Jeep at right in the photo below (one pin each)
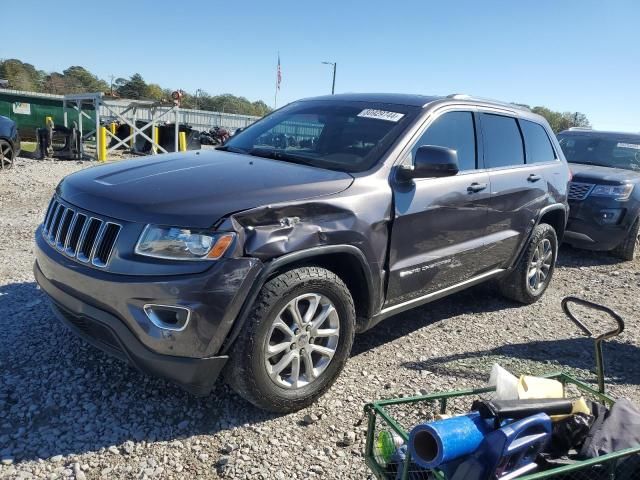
(607, 151)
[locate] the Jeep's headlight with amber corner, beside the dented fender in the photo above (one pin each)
(175, 243)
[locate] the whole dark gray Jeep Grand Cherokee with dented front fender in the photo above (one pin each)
(263, 258)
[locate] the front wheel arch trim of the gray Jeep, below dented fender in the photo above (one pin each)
(346, 261)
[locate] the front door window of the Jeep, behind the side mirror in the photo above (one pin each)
(454, 130)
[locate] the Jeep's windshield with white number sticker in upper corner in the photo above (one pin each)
(345, 136)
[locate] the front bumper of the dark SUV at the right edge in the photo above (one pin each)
(586, 229)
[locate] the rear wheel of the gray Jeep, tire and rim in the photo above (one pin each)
(520, 285)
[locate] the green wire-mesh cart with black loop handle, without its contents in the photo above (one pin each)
(389, 422)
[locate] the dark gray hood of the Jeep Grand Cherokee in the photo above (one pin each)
(194, 189)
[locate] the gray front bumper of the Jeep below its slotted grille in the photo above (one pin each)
(107, 310)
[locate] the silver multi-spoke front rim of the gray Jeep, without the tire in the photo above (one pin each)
(302, 341)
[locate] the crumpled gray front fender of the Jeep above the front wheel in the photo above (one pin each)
(359, 217)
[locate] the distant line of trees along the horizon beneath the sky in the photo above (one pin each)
(76, 79)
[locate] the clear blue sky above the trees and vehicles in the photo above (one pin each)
(566, 55)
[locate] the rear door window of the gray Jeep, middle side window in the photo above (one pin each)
(502, 141)
